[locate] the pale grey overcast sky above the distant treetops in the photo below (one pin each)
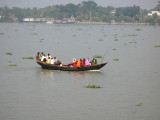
(144, 4)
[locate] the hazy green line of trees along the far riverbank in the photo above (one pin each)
(84, 11)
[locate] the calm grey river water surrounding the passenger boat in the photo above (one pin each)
(130, 81)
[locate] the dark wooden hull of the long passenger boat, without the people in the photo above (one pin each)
(67, 68)
